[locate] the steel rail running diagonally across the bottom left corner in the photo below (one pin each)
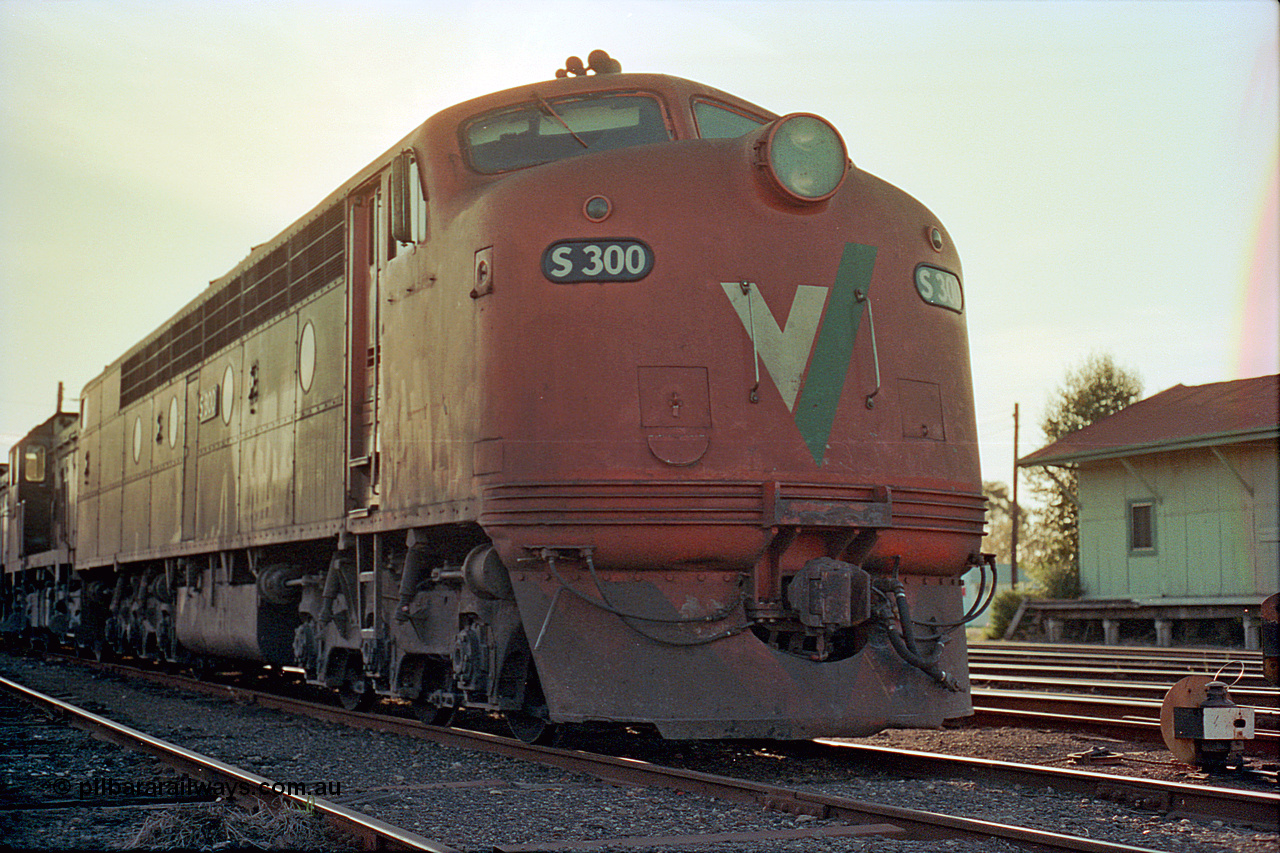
(372, 833)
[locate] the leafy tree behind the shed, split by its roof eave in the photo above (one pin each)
(1091, 391)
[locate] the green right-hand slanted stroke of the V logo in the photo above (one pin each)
(820, 396)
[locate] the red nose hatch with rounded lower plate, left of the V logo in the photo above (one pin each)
(675, 412)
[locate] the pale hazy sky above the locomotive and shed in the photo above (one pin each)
(1107, 168)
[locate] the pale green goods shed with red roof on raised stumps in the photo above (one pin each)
(1178, 516)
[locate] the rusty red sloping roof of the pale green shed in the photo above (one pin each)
(1183, 417)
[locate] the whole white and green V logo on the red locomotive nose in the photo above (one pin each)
(808, 355)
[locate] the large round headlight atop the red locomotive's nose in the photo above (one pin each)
(806, 157)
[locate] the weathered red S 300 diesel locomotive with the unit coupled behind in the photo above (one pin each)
(611, 398)
